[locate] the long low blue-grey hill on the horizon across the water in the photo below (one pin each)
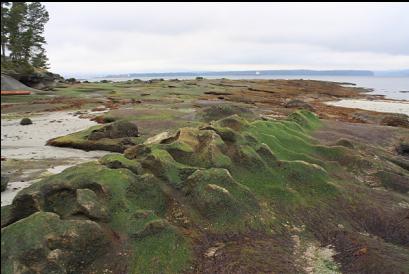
(302, 72)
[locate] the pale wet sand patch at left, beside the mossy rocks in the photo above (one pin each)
(20, 144)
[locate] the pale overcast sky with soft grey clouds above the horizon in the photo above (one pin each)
(109, 38)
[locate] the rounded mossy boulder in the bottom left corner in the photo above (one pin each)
(43, 243)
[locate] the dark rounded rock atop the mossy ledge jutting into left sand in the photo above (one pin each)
(118, 129)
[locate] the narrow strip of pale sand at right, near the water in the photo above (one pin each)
(378, 105)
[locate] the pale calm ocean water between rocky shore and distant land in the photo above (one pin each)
(390, 87)
